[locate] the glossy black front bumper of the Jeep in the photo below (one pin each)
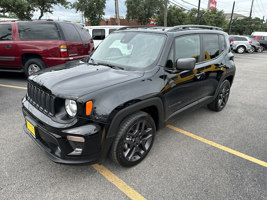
(53, 139)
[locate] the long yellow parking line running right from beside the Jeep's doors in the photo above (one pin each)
(259, 162)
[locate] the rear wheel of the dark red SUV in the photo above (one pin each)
(33, 65)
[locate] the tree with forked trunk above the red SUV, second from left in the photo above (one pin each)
(46, 6)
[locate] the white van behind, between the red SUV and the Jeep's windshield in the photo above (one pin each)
(99, 33)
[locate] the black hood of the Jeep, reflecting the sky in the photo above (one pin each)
(78, 79)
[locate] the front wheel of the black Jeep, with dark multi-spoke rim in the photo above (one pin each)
(134, 139)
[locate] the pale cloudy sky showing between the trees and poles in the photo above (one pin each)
(241, 7)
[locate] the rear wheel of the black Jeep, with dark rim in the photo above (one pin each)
(220, 101)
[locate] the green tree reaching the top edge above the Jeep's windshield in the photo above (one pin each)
(143, 10)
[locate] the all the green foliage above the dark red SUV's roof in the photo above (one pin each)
(24, 9)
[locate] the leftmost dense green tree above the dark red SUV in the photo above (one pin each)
(21, 8)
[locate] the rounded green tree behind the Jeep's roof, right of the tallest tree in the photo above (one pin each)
(176, 16)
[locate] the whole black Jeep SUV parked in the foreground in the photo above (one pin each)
(133, 82)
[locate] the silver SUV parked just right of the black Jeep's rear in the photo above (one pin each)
(240, 44)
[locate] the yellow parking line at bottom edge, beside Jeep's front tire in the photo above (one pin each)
(130, 192)
